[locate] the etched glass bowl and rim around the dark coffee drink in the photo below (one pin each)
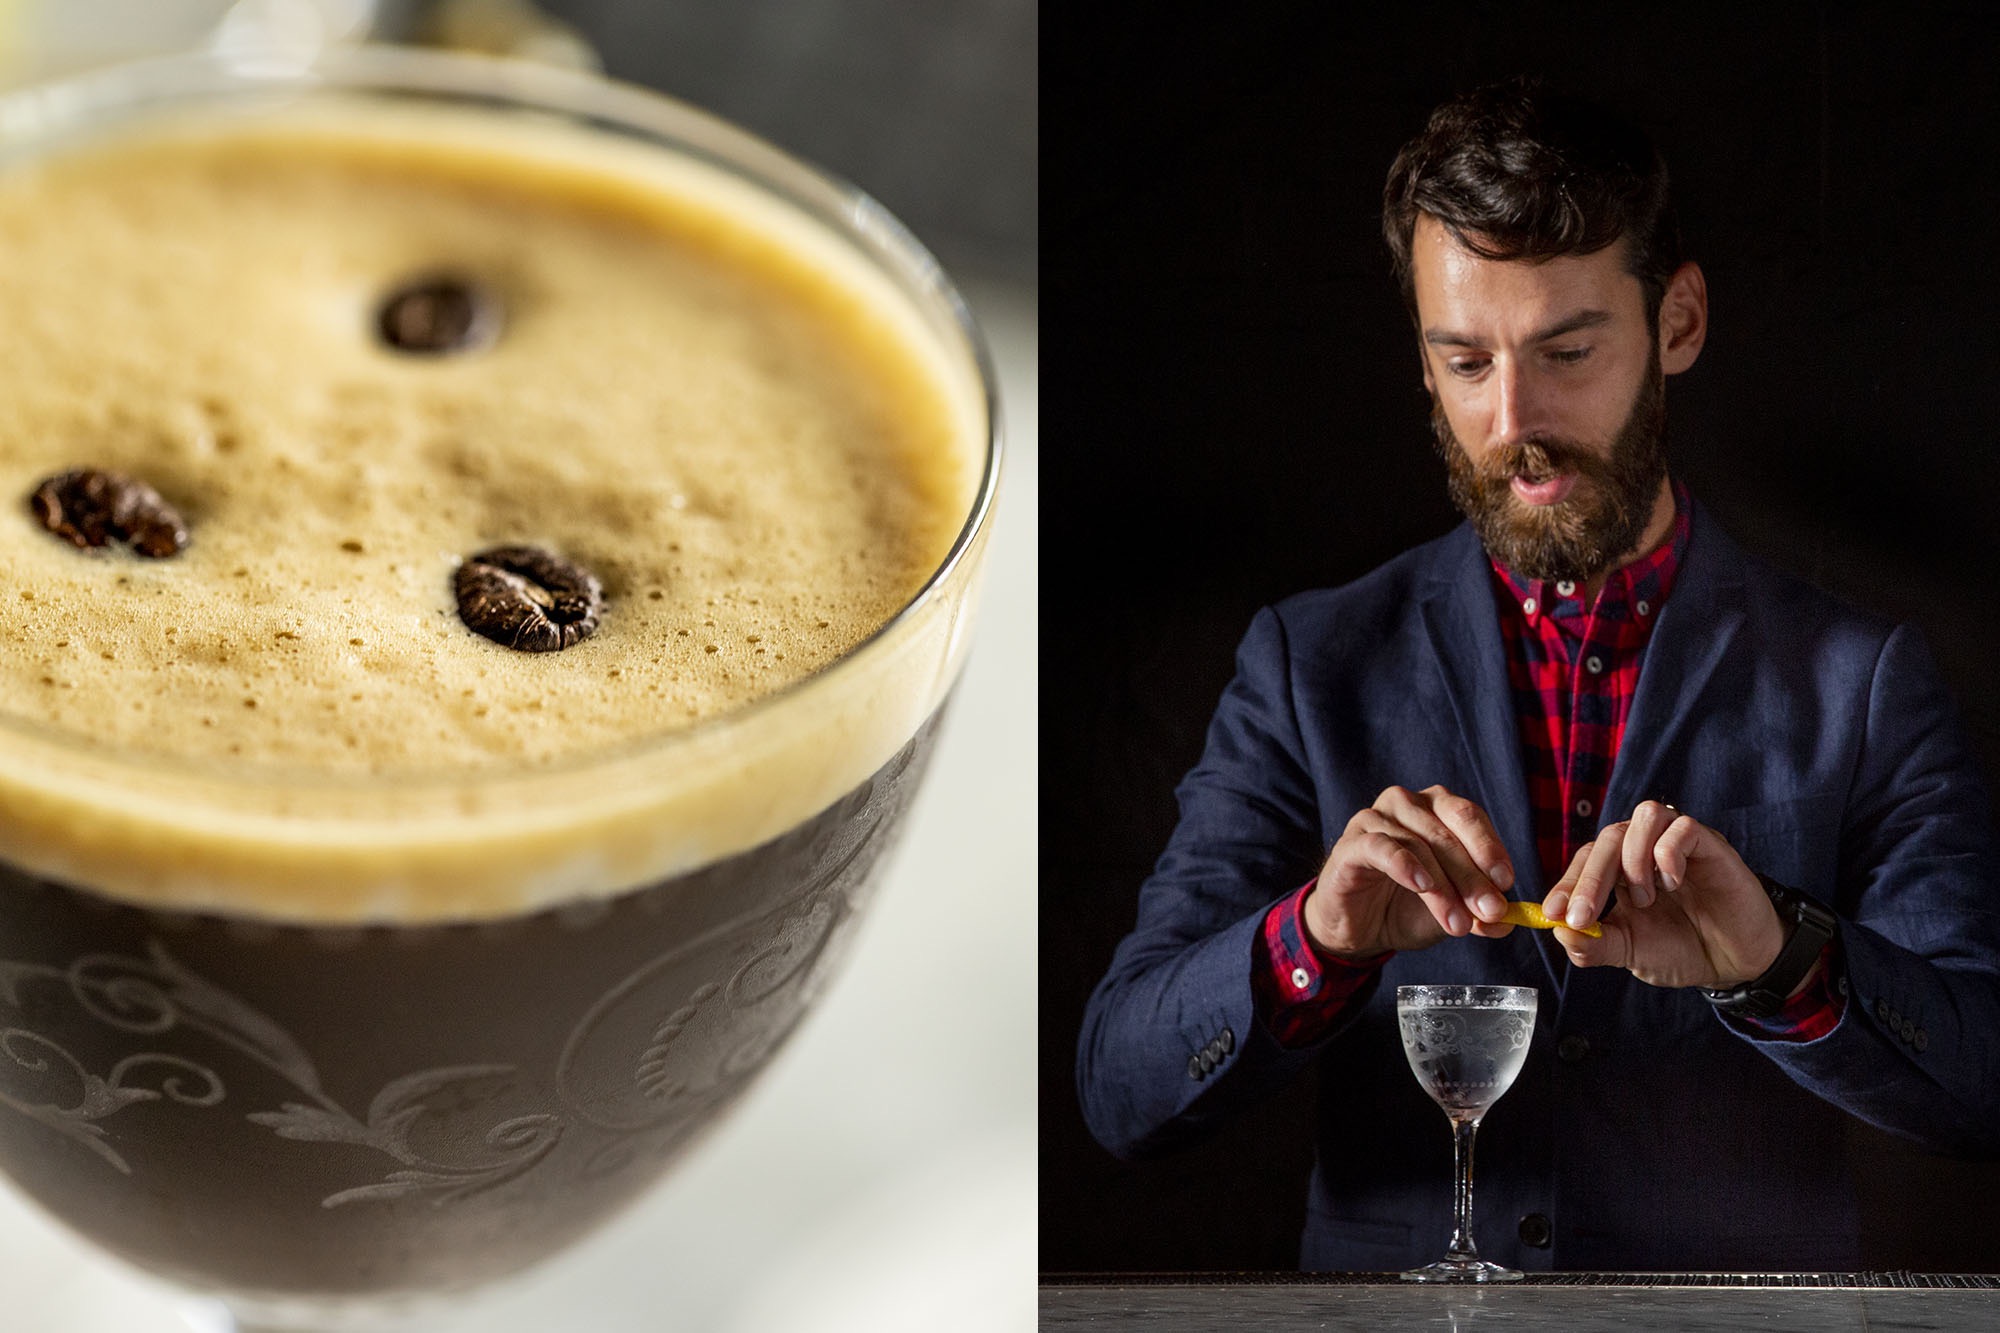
(331, 1116)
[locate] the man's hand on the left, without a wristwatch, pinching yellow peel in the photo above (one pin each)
(1409, 872)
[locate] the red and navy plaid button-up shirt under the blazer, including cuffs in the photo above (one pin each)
(1573, 668)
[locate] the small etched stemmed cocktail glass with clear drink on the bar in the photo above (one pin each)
(1465, 1046)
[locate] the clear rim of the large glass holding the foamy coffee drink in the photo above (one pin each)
(37, 115)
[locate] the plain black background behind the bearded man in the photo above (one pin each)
(1237, 415)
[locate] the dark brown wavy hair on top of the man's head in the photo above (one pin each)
(1519, 171)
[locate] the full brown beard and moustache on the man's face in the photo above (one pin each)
(1591, 529)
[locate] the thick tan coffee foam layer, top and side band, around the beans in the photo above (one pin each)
(711, 401)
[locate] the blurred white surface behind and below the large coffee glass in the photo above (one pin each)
(881, 1176)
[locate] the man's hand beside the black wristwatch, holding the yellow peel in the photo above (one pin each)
(1691, 912)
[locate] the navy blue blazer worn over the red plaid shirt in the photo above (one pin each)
(1649, 1132)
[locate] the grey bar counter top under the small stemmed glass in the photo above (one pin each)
(1541, 1302)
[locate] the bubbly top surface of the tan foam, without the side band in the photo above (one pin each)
(699, 429)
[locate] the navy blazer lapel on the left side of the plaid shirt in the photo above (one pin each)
(1465, 639)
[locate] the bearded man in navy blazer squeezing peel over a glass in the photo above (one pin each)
(1749, 806)
